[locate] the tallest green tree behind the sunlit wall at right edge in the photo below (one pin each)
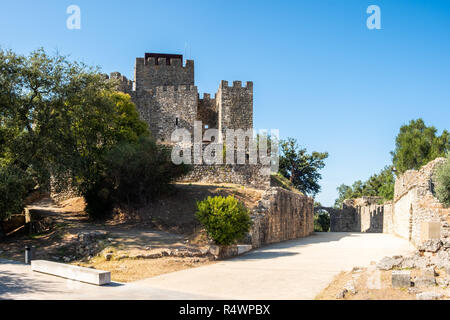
(416, 145)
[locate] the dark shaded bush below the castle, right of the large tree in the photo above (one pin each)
(134, 174)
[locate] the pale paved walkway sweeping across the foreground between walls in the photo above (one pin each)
(297, 269)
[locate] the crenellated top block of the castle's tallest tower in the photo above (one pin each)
(148, 74)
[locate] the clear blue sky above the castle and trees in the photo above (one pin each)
(320, 75)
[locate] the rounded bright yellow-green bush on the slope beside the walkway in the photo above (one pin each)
(225, 219)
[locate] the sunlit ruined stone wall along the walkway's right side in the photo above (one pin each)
(413, 204)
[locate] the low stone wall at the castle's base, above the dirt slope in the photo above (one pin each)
(255, 176)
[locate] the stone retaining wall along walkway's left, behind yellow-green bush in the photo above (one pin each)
(281, 215)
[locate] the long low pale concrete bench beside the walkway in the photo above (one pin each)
(88, 275)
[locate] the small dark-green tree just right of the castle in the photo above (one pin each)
(301, 168)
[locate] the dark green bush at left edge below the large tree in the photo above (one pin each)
(14, 187)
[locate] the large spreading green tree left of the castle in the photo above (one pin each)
(60, 119)
